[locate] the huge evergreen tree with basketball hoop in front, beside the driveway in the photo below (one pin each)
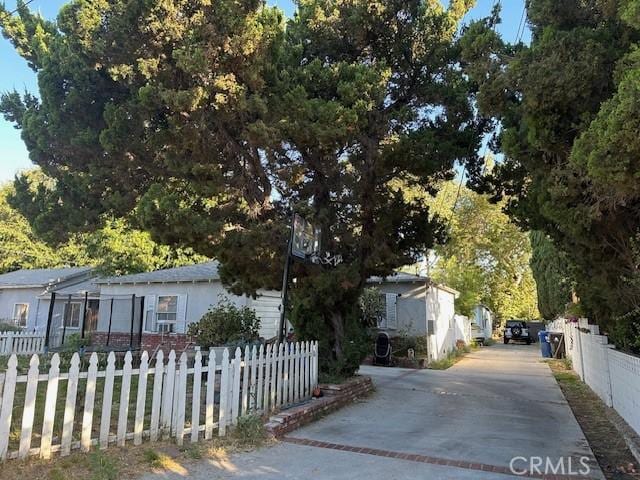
(213, 123)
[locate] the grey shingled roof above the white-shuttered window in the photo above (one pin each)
(202, 272)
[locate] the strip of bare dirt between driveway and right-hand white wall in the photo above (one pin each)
(611, 452)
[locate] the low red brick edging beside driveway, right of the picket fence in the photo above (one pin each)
(334, 397)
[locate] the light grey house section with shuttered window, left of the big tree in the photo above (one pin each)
(147, 309)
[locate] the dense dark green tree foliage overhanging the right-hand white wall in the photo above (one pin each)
(568, 108)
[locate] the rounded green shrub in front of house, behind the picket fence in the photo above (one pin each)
(226, 324)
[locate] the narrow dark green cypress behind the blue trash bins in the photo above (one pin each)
(552, 273)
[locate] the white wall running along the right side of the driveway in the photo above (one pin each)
(613, 375)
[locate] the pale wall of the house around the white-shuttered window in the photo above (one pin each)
(194, 299)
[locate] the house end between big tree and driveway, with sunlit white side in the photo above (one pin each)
(414, 305)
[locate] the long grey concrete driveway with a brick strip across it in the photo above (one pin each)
(469, 421)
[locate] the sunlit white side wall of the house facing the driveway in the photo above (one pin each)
(441, 310)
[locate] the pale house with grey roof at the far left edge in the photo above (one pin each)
(24, 294)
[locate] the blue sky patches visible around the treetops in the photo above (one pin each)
(13, 154)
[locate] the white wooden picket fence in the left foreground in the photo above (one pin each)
(173, 399)
